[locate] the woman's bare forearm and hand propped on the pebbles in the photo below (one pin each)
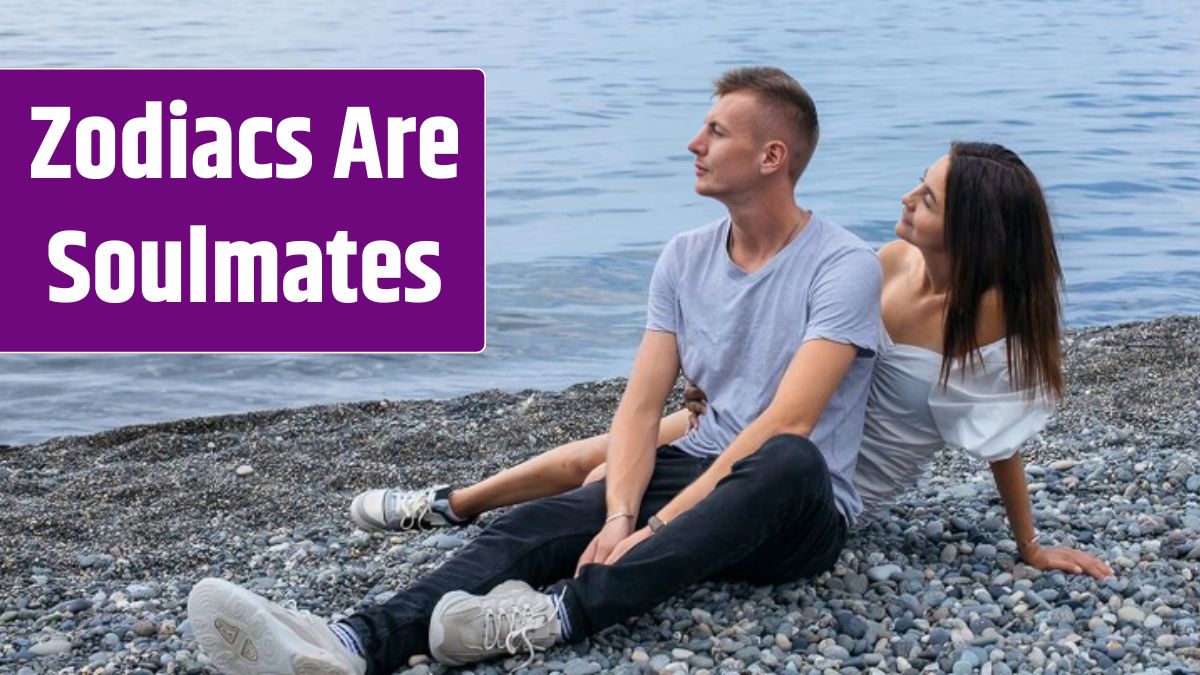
(1010, 475)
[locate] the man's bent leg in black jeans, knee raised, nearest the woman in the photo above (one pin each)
(772, 519)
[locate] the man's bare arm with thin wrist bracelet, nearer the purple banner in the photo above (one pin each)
(635, 429)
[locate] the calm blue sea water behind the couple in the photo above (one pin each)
(591, 107)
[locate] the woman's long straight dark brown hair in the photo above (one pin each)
(999, 236)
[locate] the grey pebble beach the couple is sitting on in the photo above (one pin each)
(104, 536)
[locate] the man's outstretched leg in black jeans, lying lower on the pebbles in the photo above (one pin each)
(538, 543)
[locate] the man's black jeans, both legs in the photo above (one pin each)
(772, 519)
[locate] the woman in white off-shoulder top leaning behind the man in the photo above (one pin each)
(971, 360)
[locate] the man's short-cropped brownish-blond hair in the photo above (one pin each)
(789, 100)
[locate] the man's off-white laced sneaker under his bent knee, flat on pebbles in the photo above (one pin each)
(509, 620)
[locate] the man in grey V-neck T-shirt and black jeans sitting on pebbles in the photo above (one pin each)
(775, 313)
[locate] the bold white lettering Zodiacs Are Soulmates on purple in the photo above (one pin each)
(101, 151)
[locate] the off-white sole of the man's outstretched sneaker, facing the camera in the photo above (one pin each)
(242, 638)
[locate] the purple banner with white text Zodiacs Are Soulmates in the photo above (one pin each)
(242, 211)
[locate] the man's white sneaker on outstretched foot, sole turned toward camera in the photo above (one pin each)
(248, 635)
